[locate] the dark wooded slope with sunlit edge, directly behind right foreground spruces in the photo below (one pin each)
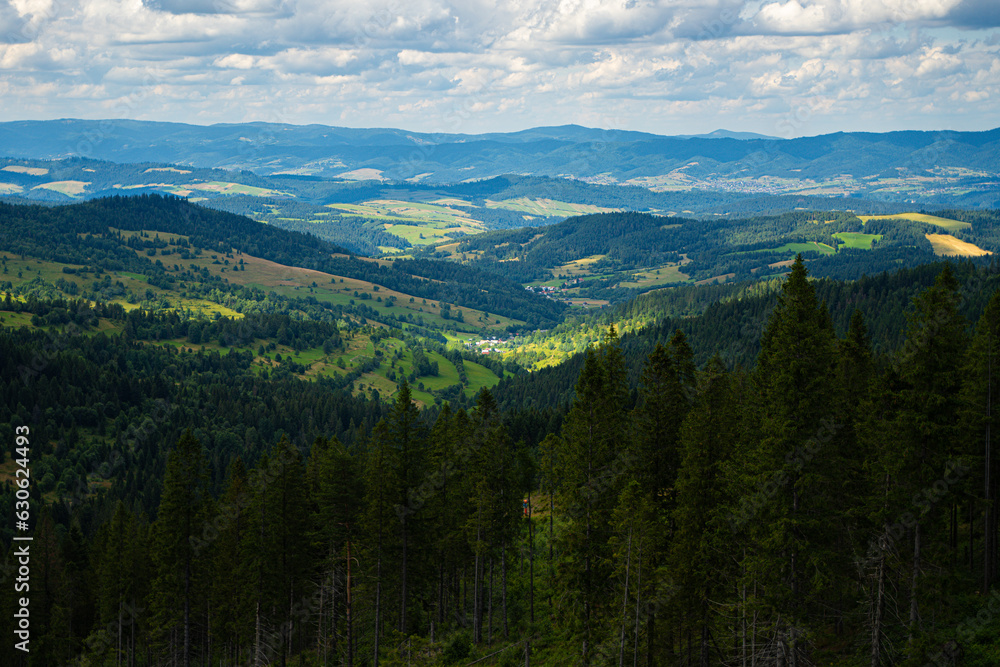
(731, 326)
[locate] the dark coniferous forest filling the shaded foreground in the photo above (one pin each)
(824, 505)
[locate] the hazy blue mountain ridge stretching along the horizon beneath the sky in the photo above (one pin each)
(945, 167)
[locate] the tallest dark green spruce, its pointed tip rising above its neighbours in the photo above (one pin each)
(791, 486)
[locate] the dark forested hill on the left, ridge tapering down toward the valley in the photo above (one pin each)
(94, 233)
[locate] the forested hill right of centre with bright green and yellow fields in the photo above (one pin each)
(618, 254)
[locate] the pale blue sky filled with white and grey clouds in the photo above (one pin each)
(778, 67)
